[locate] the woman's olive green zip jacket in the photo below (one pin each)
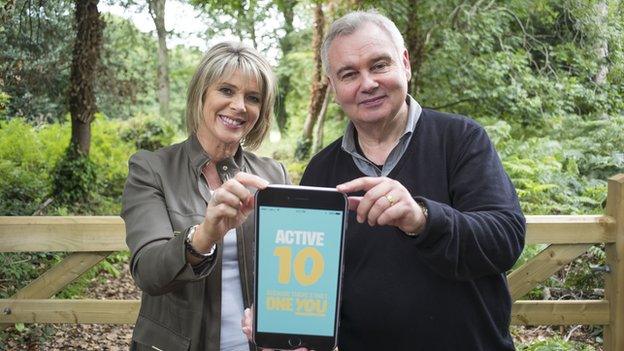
(165, 194)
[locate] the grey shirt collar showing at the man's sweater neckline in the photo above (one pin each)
(369, 168)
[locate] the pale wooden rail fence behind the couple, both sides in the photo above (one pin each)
(91, 239)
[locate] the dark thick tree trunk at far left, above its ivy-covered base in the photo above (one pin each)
(82, 103)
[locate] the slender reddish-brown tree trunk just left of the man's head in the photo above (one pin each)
(319, 86)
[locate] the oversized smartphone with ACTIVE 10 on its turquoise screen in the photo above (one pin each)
(299, 254)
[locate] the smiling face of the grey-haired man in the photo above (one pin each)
(368, 74)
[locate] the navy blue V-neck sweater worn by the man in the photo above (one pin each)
(446, 288)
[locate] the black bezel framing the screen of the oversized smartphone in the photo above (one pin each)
(309, 198)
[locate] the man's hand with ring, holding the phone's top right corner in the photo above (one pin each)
(385, 202)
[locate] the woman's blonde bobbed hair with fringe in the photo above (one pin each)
(220, 62)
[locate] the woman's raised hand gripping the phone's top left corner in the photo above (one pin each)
(228, 208)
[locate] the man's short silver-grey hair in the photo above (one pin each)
(349, 23)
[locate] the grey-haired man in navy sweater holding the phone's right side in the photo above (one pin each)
(435, 221)
